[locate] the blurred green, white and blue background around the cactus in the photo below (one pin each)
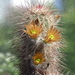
(66, 9)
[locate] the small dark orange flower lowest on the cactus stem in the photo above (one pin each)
(38, 58)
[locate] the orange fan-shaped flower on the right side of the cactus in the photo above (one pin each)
(53, 35)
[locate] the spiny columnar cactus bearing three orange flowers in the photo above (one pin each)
(39, 41)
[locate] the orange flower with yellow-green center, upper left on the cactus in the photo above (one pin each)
(33, 29)
